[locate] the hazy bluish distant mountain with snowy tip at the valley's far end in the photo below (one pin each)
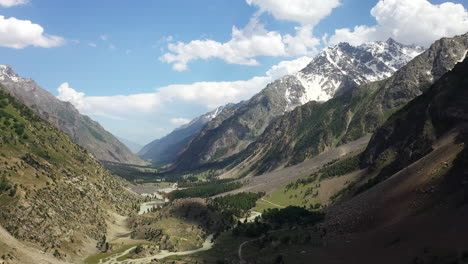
(164, 150)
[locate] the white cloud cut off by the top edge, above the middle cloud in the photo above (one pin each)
(306, 12)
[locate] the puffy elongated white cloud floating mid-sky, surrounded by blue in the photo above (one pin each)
(245, 45)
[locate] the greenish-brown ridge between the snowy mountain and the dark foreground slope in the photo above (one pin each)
(314, 127)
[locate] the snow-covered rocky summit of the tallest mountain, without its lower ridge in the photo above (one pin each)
(343, 66)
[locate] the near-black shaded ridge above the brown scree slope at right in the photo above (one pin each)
(410, 133)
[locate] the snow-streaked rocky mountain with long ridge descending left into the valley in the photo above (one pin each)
(332, 72)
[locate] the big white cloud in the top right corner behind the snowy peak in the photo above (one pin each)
(408, 21)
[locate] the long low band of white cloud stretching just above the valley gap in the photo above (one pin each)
(208, 94)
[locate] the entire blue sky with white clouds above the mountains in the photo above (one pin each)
(119, 62)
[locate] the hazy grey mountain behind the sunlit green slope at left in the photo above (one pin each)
(63, 115)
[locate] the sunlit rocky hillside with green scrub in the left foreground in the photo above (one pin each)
(53, 193)
